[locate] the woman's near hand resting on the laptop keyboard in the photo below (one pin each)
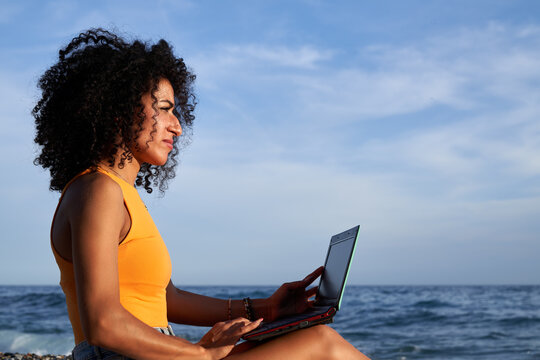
(220, 340)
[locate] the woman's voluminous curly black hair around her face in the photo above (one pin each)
(91, 107)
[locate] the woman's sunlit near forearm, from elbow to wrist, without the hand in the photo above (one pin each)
(121, 332)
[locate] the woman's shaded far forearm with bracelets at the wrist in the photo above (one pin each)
(184, 307)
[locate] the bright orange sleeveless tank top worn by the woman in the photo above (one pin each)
(144, 266)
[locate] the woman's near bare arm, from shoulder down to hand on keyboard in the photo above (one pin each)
(96, 220)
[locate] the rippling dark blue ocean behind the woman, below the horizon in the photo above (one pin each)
(384, 322)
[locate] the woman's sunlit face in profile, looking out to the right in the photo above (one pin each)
(155, 141)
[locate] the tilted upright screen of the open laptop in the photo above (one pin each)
(336, 268)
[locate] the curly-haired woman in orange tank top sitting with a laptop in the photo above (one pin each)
(110, 117)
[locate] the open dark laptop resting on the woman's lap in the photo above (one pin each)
(329, 295)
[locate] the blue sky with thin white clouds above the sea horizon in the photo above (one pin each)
(417, 120)
